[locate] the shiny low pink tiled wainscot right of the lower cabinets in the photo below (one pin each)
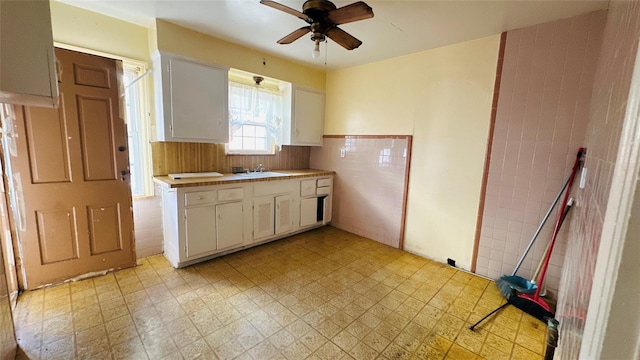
(370, 184)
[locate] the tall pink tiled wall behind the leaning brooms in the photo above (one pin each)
(542, 114)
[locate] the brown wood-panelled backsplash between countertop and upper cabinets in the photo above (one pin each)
(175, 157)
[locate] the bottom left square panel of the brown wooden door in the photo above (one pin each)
(57, 232)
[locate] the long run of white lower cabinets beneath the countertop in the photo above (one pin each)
(201, 222)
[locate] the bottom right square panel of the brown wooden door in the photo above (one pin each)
(104, 225)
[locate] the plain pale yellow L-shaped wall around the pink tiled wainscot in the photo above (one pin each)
(443, 98)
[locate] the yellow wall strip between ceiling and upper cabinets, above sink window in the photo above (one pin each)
(178, 40)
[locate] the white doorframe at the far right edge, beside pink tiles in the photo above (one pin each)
(603, 325)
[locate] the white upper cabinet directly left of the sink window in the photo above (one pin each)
(192, 100)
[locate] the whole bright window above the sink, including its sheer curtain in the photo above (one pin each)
(255, 119)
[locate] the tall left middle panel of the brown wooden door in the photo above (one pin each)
(48, 144)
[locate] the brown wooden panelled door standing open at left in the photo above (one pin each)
(71, 176)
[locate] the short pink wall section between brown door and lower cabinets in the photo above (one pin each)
(147, 222)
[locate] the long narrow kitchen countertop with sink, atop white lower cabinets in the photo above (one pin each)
(166, 181)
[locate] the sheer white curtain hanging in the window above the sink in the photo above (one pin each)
(255, 105)
